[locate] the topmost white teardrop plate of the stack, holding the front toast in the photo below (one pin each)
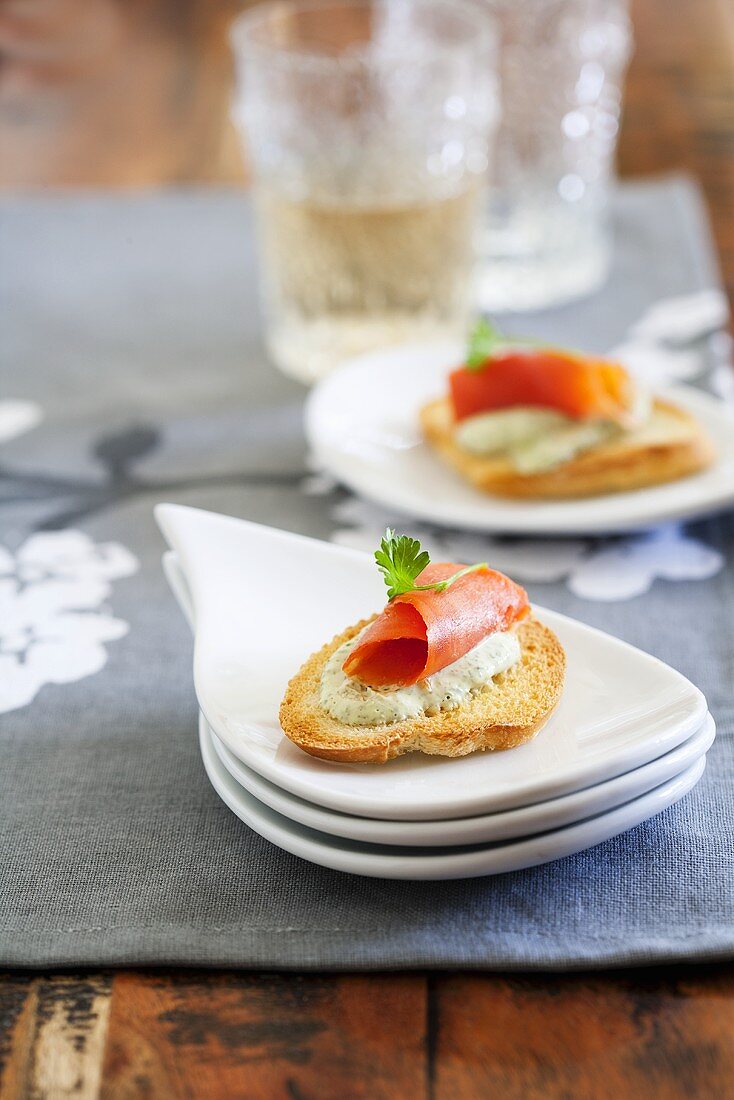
(264, 600)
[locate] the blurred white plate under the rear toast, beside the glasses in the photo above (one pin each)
(363, 426)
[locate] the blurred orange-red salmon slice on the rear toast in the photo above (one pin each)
(540, 378)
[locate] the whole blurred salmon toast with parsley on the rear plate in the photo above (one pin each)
(528, 422)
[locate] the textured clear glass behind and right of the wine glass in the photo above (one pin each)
(562, 63)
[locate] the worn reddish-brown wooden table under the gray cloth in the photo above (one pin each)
(665, 1032)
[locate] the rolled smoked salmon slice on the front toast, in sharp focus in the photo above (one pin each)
(421, 633)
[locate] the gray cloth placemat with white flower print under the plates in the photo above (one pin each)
(133, 372)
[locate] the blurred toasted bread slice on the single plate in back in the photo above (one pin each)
(671, 446)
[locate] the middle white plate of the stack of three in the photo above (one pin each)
(506, 826)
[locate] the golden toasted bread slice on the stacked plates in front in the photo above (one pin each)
(505, 714)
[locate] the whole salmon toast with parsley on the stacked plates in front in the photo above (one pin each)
(455, 664)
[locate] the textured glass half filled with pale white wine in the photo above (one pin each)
(367, 126)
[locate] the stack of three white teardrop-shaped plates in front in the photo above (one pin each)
(628, 740)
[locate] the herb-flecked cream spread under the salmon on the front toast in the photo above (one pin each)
(357, 705)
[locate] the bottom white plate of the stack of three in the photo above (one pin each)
(463, 863)
